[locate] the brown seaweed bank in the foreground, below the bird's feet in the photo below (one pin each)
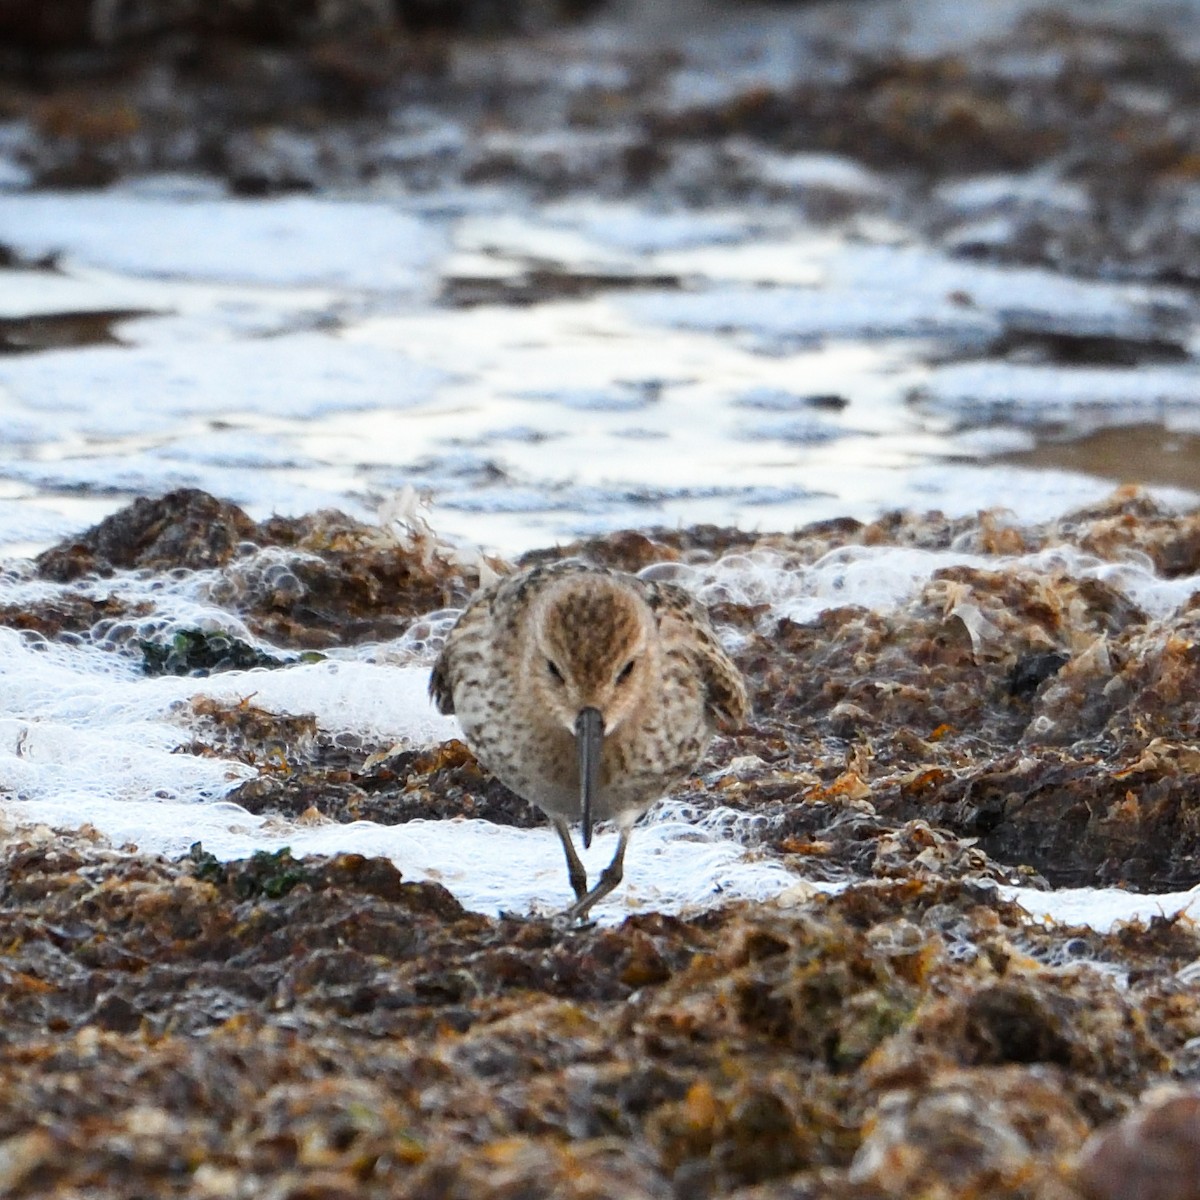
(326, 1030)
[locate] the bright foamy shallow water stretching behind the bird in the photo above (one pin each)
(791, 374)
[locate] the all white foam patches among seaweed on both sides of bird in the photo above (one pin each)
(87, 739)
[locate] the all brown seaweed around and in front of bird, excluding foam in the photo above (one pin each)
(323, 1028)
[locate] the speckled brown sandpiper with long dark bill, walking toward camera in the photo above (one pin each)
(590, 693)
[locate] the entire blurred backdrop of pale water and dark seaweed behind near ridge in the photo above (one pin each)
(574, 267)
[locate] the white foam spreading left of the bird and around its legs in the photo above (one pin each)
(87, 739)
